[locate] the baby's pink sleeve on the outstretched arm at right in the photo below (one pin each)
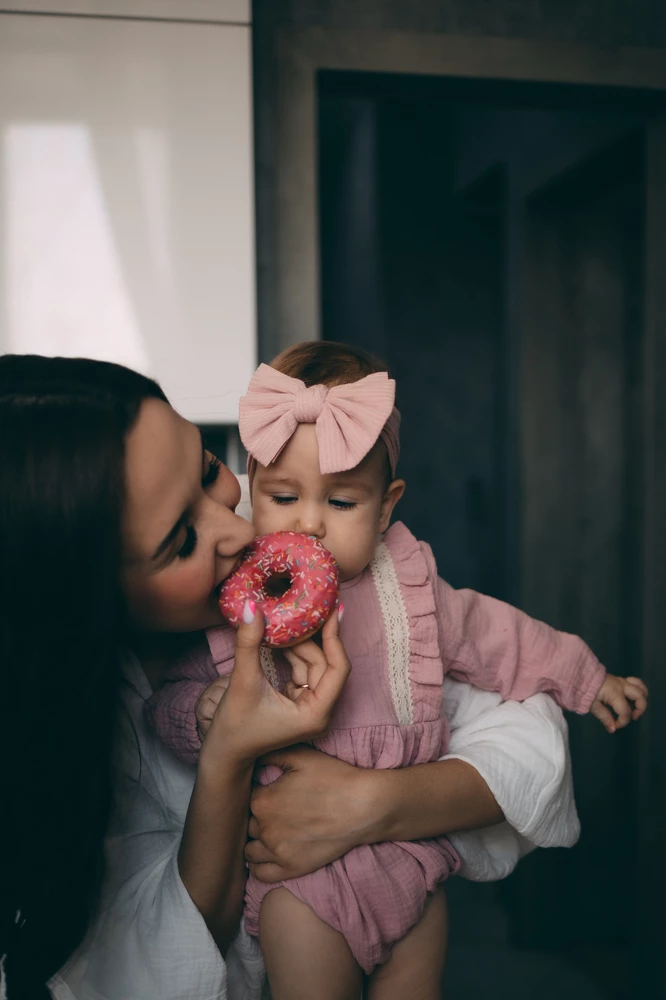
(493, 646)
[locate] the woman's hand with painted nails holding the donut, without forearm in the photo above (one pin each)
(253, 718)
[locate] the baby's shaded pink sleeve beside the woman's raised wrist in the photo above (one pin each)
(170, 711)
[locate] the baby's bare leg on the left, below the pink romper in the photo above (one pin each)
(305, 958)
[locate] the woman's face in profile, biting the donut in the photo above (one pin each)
(181, 536)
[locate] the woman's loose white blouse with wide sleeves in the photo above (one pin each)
(150, 940)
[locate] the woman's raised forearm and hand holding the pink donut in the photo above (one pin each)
(249, 720)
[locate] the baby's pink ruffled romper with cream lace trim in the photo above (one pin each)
(404, 628)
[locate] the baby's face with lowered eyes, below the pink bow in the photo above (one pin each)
(346, 510)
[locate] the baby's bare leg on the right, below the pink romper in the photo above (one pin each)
(415, 970)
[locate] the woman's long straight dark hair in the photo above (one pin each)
(63, 426)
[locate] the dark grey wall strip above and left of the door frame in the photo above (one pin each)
(605, 23)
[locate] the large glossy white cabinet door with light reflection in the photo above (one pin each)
(126, 196)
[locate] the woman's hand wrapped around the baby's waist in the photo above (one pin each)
(315, 812)
